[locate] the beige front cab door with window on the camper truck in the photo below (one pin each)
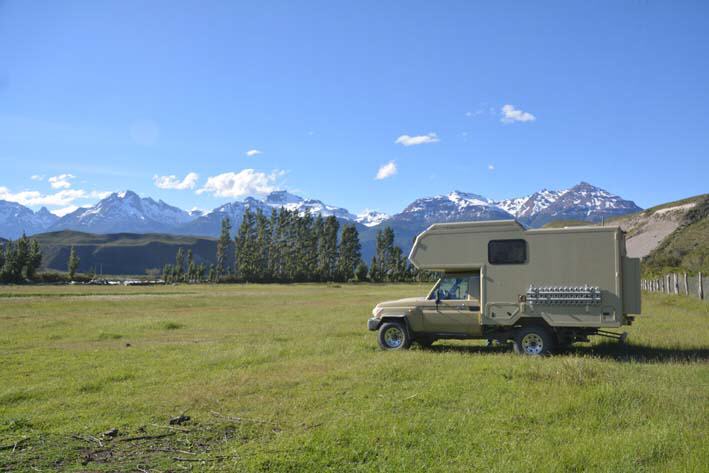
(457, 310)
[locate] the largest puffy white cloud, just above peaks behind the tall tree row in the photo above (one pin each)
(242, 183)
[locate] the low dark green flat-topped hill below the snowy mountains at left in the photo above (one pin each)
(121, 253)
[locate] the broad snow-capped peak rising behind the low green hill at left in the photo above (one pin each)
(125, 212)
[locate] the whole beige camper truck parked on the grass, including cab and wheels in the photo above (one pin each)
(540, 289)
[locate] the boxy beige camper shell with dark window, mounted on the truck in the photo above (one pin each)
(570, 277)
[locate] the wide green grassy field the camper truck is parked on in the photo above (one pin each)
(286, 378)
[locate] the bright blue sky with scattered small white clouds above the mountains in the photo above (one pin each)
(106, 96)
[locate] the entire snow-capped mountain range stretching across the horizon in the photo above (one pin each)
(127, 212)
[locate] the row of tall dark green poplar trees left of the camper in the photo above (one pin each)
(291, 247)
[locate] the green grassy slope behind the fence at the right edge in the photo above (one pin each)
(687, 248)
